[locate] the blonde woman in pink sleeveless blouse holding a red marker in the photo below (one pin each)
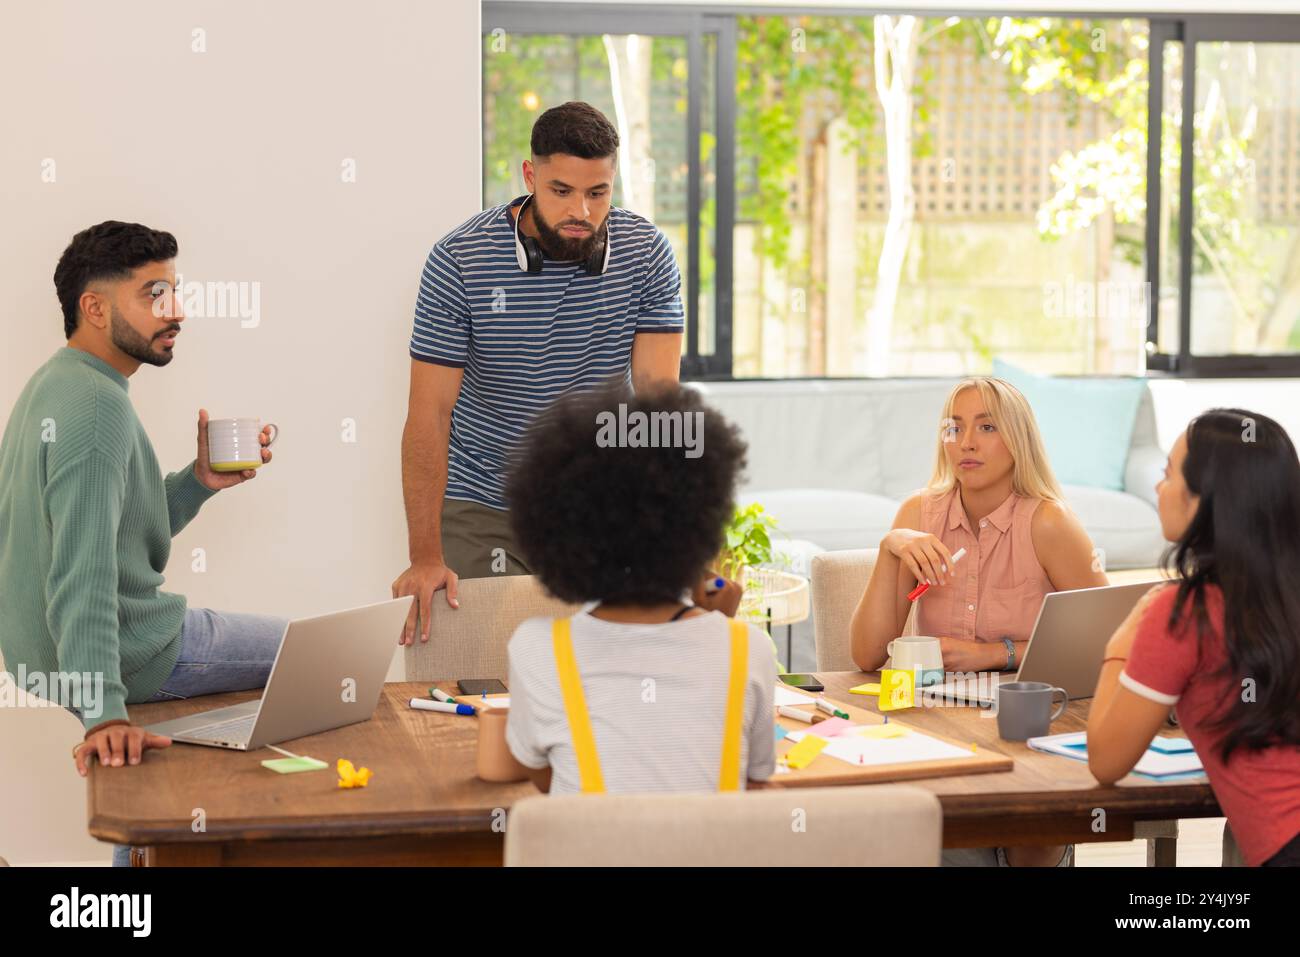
(995, 496)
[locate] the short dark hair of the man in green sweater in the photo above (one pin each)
(107, 252)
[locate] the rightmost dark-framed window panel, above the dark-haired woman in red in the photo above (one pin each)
(1230, 272)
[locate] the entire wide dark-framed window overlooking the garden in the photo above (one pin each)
(904, 196)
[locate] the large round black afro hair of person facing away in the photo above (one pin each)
(618, 523)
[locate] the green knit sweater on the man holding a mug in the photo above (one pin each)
(86, 525)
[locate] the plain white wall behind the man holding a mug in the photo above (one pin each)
(239, 151)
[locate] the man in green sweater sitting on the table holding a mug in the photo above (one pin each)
(88, 518)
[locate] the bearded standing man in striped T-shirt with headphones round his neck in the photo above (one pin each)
(552, 293)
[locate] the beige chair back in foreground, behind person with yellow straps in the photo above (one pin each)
(886, 825)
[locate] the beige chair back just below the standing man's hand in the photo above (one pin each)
(471, 642)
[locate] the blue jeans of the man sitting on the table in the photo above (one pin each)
(220, 652)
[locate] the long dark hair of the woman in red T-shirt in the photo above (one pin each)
(1246, 539)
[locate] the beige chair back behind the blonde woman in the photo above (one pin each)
(839, 581)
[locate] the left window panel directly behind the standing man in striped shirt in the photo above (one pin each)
(657, 79)
